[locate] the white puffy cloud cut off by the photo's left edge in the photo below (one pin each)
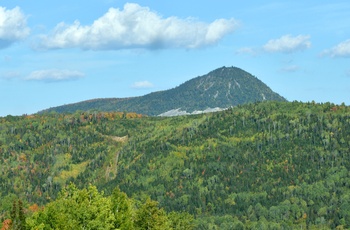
(13, 26)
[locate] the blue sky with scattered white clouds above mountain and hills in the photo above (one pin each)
(60, 52)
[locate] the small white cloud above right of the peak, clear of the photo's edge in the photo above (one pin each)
(288, 44)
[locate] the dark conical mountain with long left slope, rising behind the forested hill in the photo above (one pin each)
(221, 88)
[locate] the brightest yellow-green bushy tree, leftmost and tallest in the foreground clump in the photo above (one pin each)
(75, 209)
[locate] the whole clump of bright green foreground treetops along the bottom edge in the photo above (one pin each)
(90, 209)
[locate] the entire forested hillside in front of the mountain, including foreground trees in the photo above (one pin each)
(264, 165)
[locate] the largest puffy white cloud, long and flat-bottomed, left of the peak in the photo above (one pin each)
(137, 27)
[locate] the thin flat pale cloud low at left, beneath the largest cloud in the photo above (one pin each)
(52, 75)
